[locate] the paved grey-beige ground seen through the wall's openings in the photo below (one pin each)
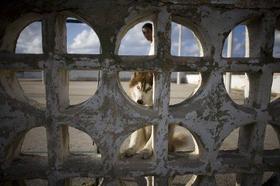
(80, 142)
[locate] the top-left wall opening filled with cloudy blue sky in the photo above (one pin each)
(30, 39)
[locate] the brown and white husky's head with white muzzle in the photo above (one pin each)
(141, 88)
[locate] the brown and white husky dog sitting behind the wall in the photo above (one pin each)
(141, 91)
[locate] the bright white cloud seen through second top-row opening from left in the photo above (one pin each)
(85, 42)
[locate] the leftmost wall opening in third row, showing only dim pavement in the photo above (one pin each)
(35, 142)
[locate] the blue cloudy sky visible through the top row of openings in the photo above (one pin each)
(83, 40)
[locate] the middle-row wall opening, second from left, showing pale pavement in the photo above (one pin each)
(83, 85)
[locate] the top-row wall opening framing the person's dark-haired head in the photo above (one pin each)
(138, 40)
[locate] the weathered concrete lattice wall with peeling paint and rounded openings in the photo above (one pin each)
(109, 117)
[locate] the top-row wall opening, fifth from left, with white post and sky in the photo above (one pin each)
(237, 43)
